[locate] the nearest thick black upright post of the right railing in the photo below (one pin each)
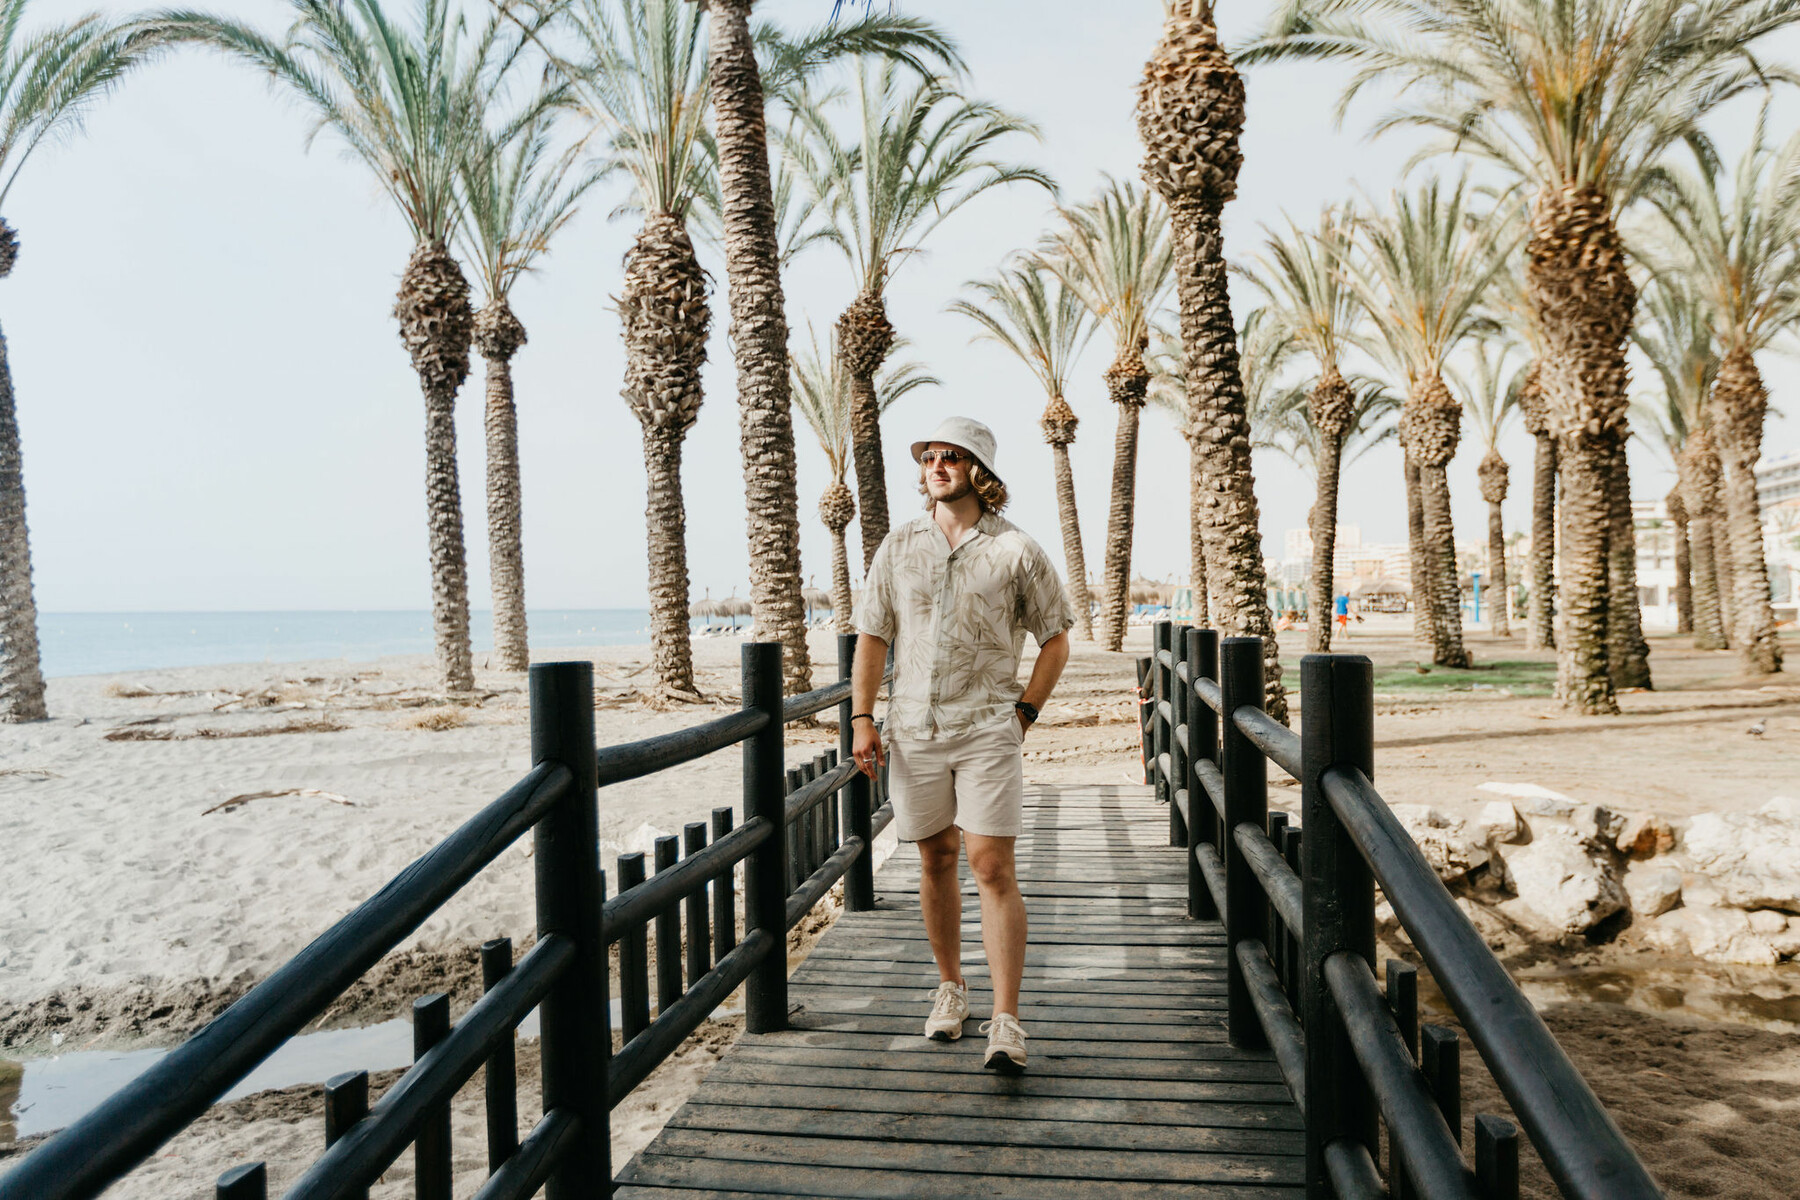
(1336, 730)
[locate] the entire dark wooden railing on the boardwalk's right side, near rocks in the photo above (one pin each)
(1299, 906)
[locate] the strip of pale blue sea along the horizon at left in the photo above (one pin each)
(100, 643)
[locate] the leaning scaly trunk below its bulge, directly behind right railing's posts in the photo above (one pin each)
(1230, 523)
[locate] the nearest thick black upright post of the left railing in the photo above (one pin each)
(566, 852)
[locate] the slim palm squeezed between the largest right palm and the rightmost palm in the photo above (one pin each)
(1680, 346)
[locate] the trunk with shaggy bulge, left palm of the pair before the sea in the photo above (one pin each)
(436, 328)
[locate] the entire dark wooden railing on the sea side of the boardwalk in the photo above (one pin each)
(795, 845)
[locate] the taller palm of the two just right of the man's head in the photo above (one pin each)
(1117, 256)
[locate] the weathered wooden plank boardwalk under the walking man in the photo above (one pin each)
(1131, 1089)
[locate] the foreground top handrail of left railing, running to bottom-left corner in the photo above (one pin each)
(130, 1124)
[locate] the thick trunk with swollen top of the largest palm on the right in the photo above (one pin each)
(1578, 274)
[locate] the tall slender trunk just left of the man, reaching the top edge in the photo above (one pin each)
(759, 339)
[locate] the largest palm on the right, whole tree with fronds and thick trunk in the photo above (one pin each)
(1579, 100)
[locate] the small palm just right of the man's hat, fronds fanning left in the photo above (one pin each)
(1043, 321)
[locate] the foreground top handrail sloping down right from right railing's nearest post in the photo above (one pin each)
(1581, 1145)
